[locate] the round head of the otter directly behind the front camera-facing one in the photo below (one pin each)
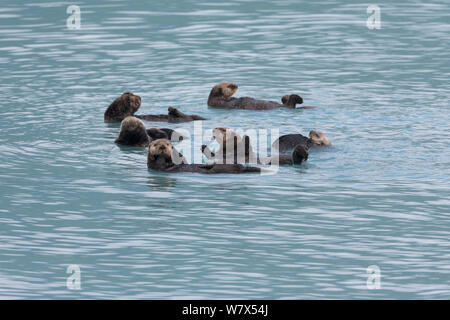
(133, 133)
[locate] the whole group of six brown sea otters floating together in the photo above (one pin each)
(162, 155)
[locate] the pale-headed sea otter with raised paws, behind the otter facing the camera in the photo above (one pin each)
(236, 149)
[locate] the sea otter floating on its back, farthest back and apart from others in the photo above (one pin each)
(221, 96)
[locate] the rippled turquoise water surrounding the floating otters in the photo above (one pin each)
(378, 196)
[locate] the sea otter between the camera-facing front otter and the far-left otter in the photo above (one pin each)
(133, 133)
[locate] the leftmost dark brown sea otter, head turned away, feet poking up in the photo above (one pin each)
(128, 103)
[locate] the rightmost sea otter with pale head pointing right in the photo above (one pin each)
(290, 141)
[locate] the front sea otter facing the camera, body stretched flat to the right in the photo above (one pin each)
(161, 155)
